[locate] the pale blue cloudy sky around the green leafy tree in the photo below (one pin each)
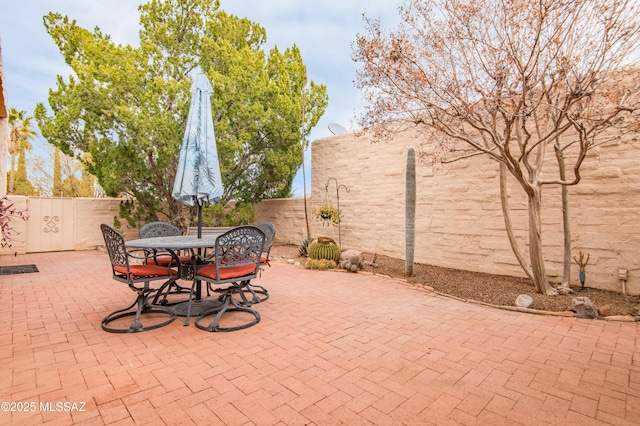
(323, 30)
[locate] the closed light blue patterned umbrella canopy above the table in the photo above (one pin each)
(198, 178)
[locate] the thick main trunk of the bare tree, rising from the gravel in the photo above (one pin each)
(540, 279)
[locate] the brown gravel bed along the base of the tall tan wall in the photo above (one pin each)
(498, 290)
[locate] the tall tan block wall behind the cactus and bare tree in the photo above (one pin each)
(459, 222)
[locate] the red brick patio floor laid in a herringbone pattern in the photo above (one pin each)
(331, 348)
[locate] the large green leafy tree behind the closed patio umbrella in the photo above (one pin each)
(127, 106)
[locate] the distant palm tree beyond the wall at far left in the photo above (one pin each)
(20, 137)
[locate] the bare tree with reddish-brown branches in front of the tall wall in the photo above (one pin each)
(507, 79)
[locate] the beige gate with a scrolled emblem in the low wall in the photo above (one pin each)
(51, 224)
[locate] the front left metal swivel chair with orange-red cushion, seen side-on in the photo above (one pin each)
(135, 269)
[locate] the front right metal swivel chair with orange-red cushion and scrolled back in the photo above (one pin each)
(232, 264)
